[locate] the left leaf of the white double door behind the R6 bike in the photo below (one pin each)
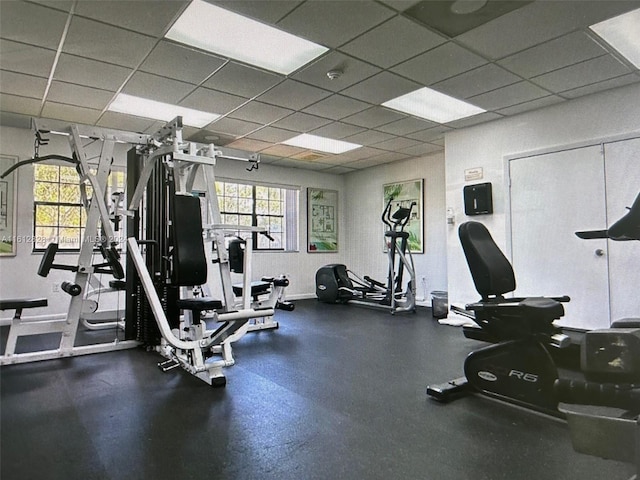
(553, 196)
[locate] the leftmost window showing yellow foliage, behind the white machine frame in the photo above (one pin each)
(59, 215)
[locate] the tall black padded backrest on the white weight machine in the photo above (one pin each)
(189, 260)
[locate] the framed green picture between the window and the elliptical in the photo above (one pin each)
(322, 220)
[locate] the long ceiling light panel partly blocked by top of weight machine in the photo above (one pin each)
(143, 107)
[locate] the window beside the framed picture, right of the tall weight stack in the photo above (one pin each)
(273, 207)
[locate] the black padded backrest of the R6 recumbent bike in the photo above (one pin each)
(491, 271)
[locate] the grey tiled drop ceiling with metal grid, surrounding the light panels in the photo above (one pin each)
(67, 60)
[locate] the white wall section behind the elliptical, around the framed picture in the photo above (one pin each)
(364, 229)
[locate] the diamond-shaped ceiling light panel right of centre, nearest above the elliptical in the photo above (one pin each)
(432, 105)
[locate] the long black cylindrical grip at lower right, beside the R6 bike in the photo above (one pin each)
(626, 396)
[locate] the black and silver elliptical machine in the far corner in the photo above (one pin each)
(335, 283)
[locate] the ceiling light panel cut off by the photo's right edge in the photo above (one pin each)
(623, 34)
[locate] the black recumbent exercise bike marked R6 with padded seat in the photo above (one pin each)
(517, 367)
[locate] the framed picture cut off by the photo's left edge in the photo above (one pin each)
(8, 196)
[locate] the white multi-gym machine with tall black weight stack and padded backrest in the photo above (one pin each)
(167, 263)
